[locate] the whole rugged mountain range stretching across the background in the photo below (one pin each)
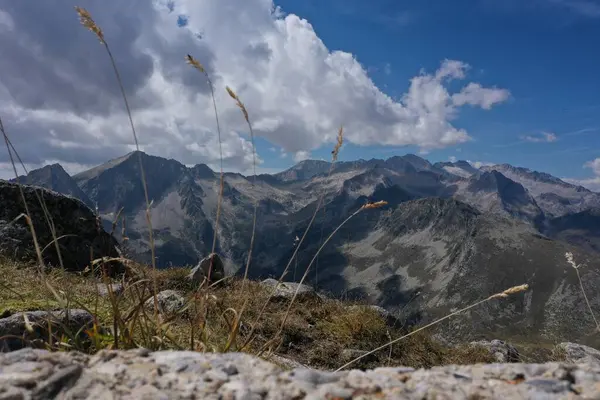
(450, 234)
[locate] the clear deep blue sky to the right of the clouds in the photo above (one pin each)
(545, 53)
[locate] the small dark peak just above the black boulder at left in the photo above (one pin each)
(55, 178)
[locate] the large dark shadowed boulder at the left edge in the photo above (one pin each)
(74, 222)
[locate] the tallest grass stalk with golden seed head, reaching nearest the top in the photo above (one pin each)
(88, 22)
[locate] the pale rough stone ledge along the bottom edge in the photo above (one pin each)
(137, 374)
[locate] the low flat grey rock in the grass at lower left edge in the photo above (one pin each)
(14, 334)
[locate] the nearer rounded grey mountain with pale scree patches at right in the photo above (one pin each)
(430, 256)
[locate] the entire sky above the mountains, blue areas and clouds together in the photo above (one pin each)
(490, 81)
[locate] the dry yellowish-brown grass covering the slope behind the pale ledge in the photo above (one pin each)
(319, 333)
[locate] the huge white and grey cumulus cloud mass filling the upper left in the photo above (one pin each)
(59, 99)
